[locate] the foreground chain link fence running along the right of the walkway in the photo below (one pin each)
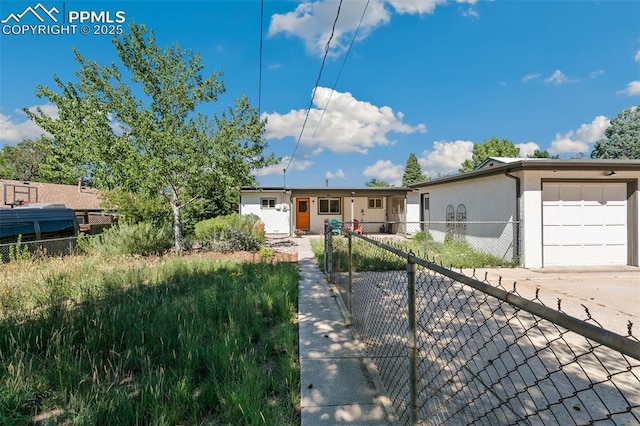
(452, 349)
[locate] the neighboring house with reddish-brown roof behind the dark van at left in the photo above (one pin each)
(85, 201)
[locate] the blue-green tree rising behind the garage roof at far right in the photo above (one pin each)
(622, 138)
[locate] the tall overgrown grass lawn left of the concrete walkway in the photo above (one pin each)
(148, 341)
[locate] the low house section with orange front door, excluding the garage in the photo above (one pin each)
(284, 210)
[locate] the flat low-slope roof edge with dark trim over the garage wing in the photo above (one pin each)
(537, 164)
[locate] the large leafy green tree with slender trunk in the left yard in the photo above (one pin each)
(156, 144)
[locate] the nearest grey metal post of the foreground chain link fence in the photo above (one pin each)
(413, 341)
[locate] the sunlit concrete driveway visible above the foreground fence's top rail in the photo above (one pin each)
(611, 294)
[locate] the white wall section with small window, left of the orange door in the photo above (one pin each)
(276, 220)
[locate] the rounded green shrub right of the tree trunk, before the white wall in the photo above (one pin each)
(231, 232)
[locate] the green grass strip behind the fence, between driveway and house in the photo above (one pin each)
(369, 257)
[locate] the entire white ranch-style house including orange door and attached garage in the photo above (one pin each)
(543, 212)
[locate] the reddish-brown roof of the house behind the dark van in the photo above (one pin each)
(73, 196)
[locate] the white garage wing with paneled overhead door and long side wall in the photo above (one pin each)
(570, 212)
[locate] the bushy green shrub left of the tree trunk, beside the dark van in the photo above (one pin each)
(142, 238)
